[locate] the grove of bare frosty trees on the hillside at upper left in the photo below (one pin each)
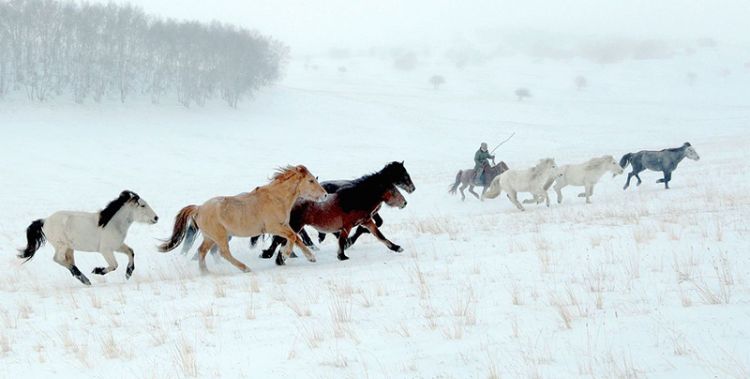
(50, 48)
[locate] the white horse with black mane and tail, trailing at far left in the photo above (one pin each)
(102, 232)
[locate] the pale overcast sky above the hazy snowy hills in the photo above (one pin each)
(309, 26)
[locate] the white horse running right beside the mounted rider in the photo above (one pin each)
(528, 180)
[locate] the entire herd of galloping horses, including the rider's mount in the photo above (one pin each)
(294, 199)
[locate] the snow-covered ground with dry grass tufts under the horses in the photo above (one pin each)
(641, 283)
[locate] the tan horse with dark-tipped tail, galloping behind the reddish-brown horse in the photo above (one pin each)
(263, 210)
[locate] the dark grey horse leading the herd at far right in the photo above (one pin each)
(665, 161)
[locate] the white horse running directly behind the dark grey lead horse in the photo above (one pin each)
(585, 175)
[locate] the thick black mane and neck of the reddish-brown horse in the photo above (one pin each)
(366, 191)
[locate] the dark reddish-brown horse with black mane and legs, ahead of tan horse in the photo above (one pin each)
(350, 206)
